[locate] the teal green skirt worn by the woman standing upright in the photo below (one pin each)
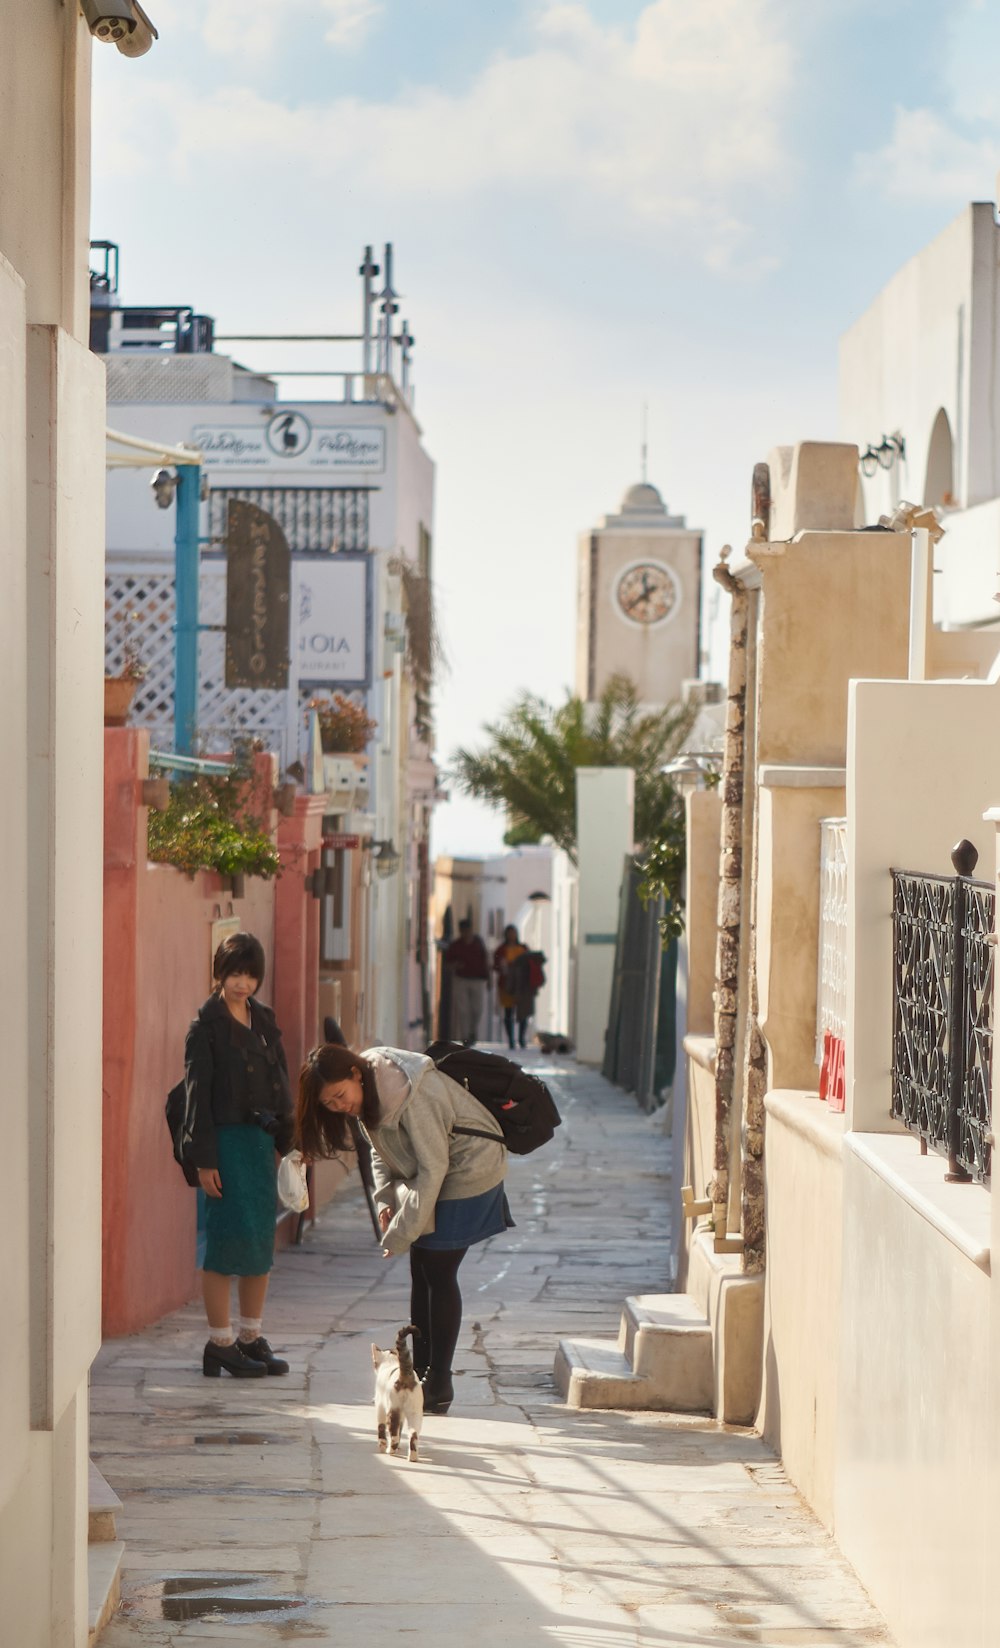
(240, 1229)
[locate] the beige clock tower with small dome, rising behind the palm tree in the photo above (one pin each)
(640, 586)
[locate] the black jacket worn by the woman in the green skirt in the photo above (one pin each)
(231, 1074)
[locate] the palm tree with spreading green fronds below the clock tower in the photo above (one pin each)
(530, 764)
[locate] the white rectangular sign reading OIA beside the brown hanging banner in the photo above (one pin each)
(332, 620)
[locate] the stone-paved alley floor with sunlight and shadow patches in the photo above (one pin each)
(259, 1512)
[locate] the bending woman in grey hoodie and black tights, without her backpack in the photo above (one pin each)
(439, 1189)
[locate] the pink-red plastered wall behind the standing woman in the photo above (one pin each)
(157, 971)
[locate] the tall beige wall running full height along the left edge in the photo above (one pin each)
(52, 625)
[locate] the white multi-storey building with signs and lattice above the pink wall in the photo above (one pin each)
(352, 489)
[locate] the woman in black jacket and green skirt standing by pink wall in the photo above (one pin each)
(240, 1113)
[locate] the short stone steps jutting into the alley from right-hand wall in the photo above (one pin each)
(689, 1354)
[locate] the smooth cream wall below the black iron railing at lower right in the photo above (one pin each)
(915, 1412)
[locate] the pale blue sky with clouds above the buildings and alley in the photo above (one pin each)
(596, 205)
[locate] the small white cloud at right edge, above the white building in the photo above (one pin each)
(928, 159)
